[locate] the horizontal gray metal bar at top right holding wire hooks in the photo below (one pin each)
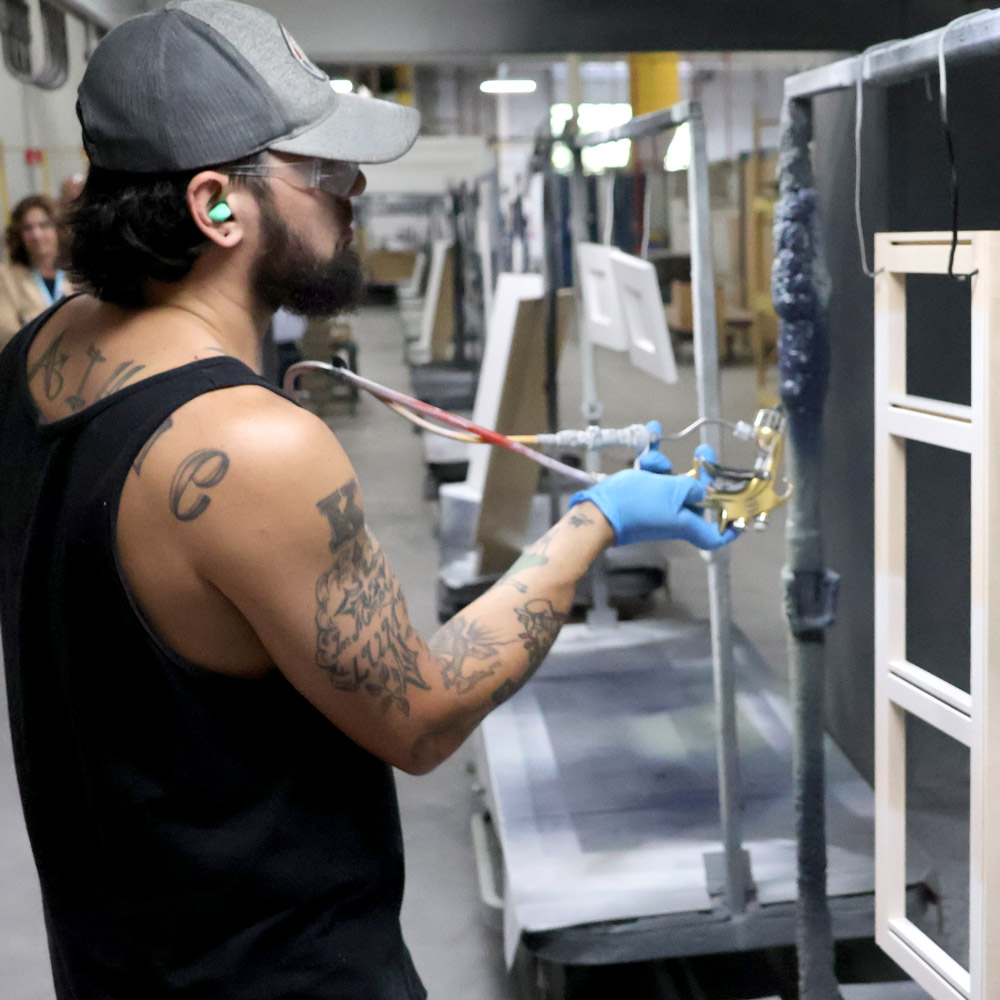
(896, 62)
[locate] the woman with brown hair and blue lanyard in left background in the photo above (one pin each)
(31, 279)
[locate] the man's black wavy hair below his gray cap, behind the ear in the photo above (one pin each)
(129, 228)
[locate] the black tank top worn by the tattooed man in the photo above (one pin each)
(197, 836)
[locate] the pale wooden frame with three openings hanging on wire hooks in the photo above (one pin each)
(902, 687)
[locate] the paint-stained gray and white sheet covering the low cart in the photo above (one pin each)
(602, 779)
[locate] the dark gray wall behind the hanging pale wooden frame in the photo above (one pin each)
(905, 187)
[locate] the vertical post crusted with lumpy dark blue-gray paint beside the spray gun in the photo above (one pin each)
(800, 288)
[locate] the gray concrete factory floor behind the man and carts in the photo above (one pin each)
(455, 946)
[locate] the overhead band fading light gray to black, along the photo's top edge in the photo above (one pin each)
(422, 30)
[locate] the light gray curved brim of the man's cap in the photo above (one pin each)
(360, 129)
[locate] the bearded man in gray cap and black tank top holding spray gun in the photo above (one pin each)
(210, 665)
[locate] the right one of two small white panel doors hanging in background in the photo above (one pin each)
(645, 320)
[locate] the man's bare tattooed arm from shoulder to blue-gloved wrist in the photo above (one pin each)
(268, 511)
